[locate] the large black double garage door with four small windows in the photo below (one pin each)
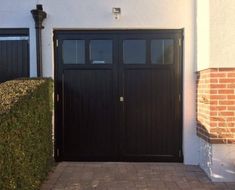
(118, 95)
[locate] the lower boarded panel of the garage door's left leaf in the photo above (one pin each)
(88, 112)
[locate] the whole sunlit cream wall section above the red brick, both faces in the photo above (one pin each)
(215, 34)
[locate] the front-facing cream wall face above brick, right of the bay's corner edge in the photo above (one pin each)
(222, 33)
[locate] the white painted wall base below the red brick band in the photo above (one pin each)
(218, 161)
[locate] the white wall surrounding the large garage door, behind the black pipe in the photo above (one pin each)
(93, 14)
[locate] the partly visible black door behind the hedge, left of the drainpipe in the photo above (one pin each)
(14, 54)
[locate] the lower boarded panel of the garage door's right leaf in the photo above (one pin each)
(148, 113)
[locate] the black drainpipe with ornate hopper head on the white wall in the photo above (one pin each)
(39, 15)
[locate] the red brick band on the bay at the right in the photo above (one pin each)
(216, 105)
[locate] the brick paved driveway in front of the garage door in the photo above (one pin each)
(129, 176)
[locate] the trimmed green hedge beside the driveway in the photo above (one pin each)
(25, 133)
